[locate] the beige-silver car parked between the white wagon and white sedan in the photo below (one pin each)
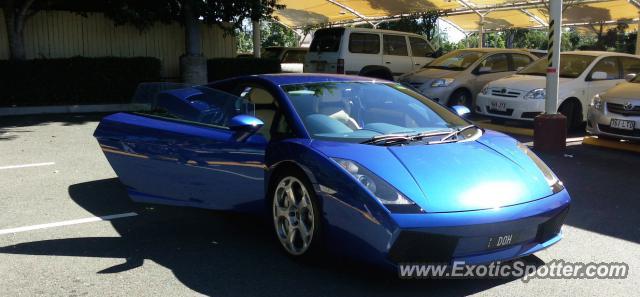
(455, 78)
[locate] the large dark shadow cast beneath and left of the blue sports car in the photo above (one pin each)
(226, 254)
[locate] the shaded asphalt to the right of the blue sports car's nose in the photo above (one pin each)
(603, 185)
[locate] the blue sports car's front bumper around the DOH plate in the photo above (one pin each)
(463, 236)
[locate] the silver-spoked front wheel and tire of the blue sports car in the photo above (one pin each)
(296, 215)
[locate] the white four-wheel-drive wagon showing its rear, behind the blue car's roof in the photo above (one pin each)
(367, 52)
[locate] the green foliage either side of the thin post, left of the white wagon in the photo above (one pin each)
(271, 34)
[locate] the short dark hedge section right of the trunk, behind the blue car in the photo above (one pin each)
(221, 68)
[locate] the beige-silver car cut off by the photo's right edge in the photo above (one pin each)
(615, 113)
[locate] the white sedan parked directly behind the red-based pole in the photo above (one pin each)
(582, 75)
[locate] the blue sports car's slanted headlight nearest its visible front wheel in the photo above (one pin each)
(391, 198)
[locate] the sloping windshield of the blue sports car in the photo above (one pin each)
(353, 111)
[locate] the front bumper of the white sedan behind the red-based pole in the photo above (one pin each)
(516, 108)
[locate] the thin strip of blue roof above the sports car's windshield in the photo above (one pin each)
(300, 78)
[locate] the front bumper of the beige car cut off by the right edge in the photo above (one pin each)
(598, 123)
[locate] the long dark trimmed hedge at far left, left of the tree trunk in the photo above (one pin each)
(75, 80)
